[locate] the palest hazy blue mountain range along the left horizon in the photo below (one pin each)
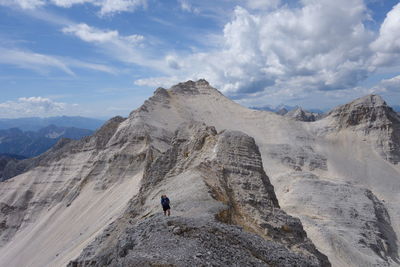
(36, 123)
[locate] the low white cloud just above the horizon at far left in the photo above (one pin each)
(31, 106)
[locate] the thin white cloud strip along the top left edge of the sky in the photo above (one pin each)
(107, 7)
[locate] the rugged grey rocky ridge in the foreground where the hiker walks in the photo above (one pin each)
(230, 166)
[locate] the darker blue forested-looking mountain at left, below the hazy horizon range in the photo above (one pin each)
(31, 144)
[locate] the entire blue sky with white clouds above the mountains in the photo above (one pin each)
(101, 58)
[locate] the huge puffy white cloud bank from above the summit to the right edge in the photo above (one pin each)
(290, 52)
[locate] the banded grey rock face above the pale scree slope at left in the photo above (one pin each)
(53, 179)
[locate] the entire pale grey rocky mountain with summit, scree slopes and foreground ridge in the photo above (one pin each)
(247, 188)
